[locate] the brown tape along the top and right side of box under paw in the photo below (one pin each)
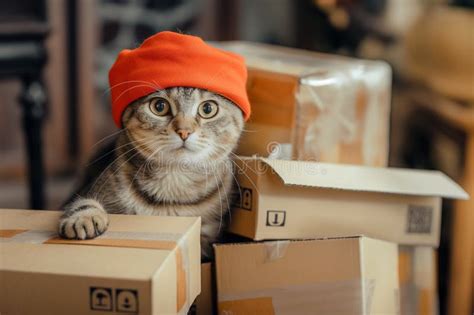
(160, 241)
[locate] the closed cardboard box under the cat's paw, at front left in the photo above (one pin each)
(141, 265)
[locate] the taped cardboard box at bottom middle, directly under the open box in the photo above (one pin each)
(355, 275)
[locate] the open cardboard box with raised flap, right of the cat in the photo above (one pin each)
(294, 199)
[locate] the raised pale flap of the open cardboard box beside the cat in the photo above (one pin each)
(363, 178)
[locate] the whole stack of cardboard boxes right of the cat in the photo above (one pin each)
(328, 234)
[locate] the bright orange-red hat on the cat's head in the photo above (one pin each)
(169, 59)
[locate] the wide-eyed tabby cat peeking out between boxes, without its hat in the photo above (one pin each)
(172, 157)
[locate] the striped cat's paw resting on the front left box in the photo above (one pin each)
(83, 219)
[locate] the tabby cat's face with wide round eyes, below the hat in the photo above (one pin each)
(184, 125)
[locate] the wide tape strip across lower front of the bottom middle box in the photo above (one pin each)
(338, 298)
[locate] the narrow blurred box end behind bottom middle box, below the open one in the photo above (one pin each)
(418, 280)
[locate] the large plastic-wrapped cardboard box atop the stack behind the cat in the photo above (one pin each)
(328, 108)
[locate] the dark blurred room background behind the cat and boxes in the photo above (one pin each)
(55, 56)
